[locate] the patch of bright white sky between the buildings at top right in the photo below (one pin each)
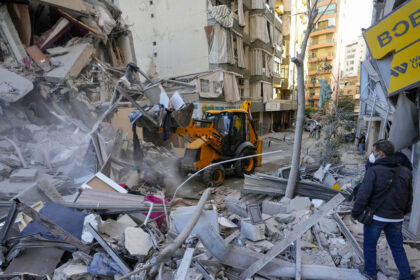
(357, 15)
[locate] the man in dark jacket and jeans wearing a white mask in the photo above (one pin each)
(389, 215)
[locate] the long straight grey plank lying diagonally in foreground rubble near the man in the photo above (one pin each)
(300, 229)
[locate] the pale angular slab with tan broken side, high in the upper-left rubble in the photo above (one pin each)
(75, 59)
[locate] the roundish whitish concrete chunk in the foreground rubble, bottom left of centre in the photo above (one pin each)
(137, 241)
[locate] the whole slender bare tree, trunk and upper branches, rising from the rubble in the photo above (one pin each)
(299, 62)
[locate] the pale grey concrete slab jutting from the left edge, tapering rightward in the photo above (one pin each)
(13, 86)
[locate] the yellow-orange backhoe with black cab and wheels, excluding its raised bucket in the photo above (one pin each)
(221, 135)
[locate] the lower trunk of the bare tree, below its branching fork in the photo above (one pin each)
(297, 144)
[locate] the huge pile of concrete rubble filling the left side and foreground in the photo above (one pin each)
(86, 167)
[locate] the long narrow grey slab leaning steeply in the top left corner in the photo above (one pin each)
(8, 30)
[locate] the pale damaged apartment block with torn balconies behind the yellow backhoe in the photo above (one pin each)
(229, 50)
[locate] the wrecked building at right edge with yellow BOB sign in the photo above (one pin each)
(389, 87)
